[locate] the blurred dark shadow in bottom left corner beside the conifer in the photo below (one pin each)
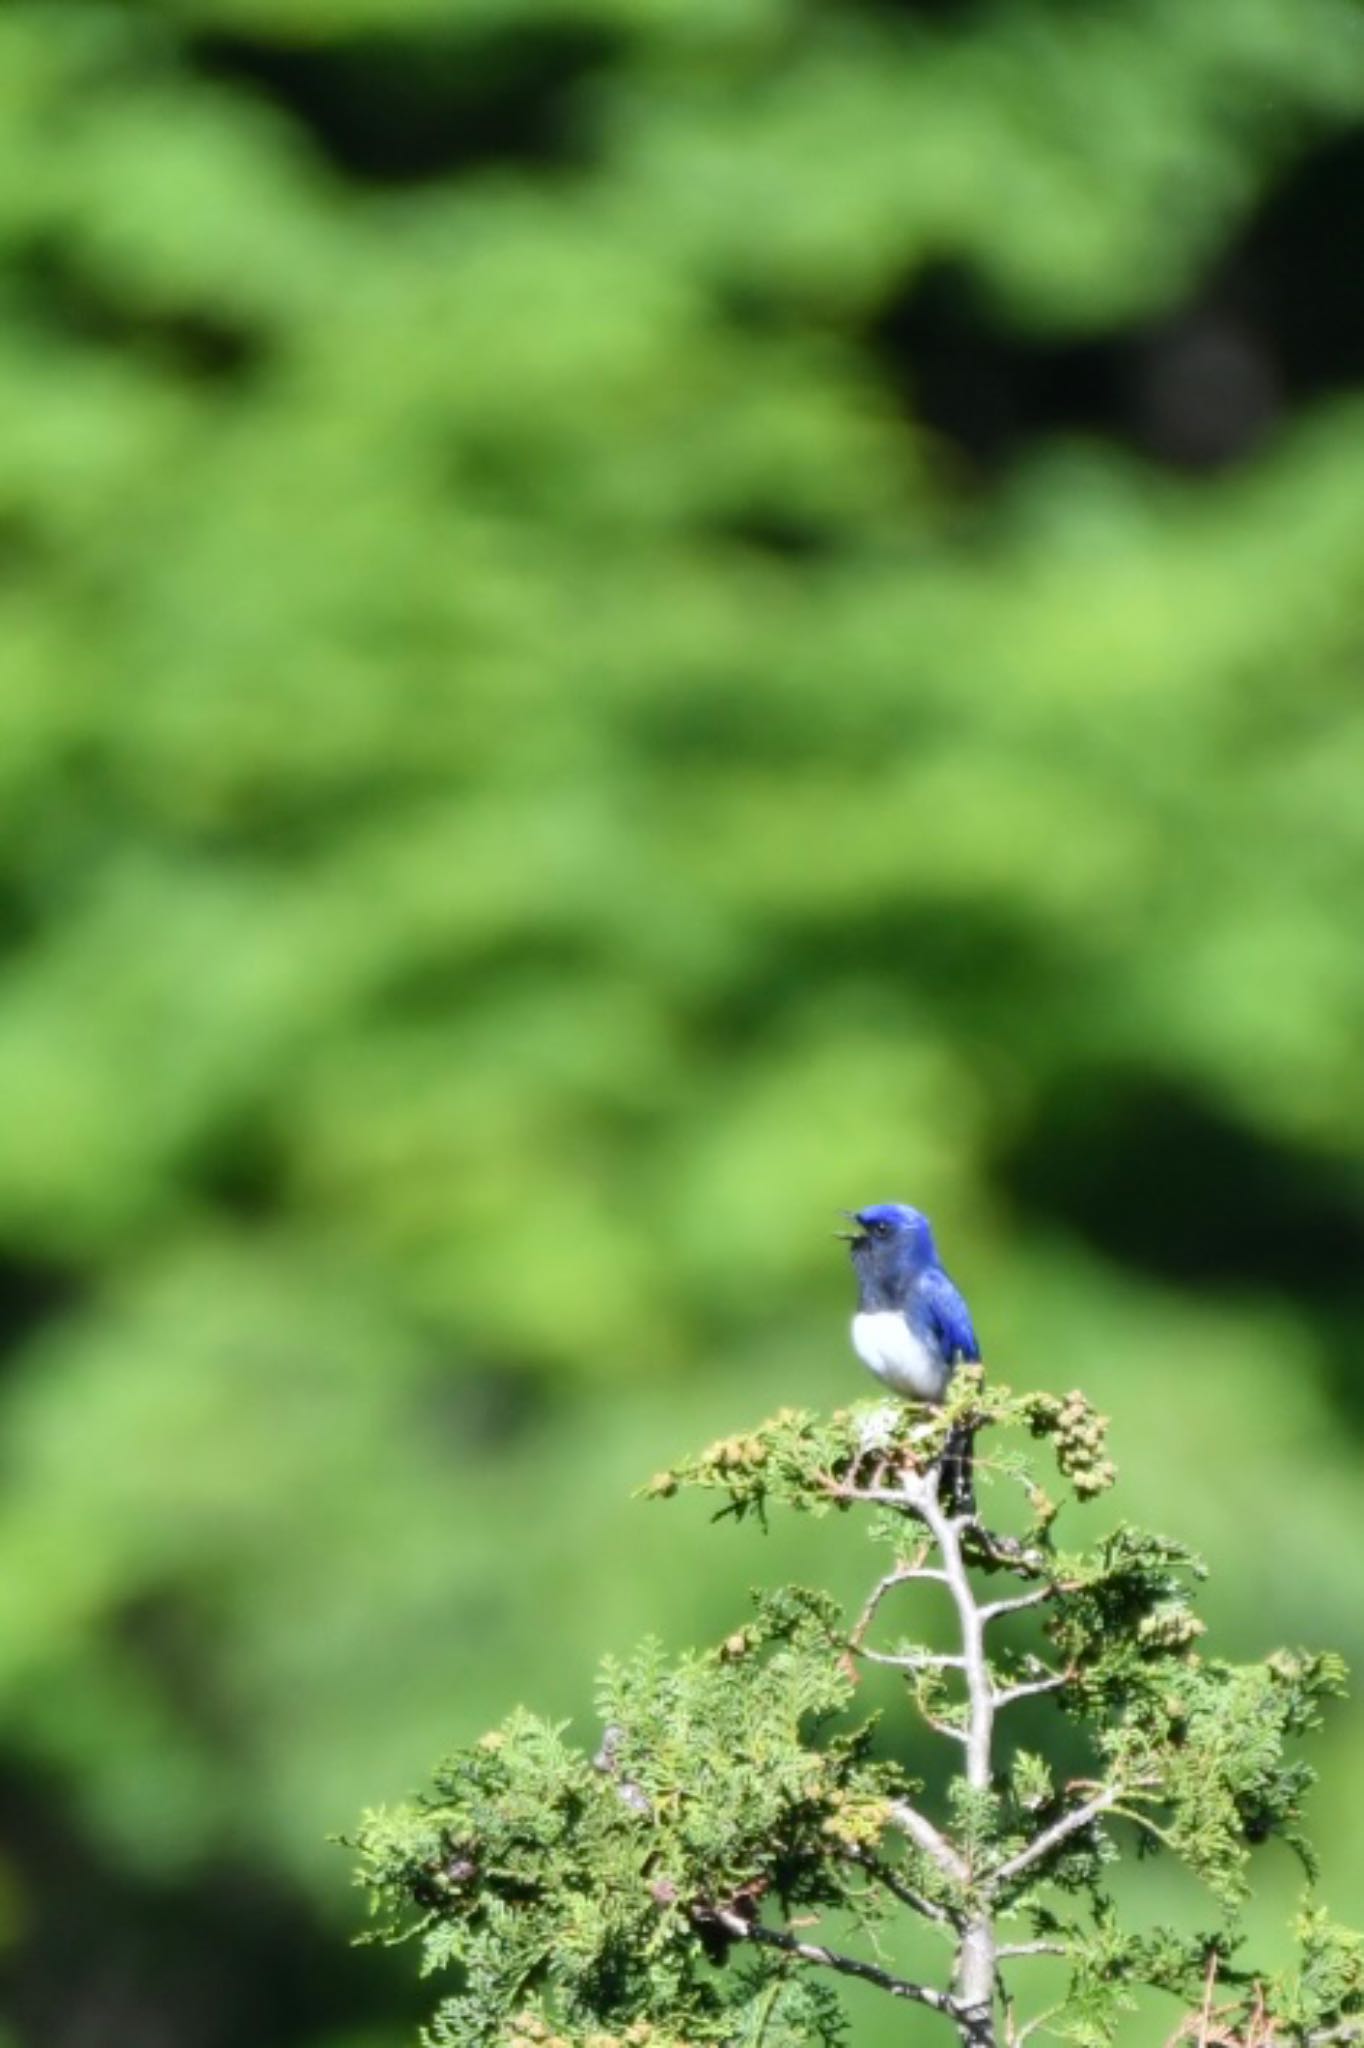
(228, 1959)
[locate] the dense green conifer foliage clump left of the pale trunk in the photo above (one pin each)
(589, 1893)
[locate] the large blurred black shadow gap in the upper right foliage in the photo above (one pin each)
(1277, 323)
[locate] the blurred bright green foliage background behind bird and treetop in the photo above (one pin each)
(624, 622)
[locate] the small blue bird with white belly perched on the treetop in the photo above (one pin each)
(912, 1324)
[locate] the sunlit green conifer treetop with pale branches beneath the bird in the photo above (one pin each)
(732, 1803)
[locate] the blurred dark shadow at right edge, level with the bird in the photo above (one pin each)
(1158, 1179)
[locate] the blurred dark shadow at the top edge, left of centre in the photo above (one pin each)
(392, 110)
